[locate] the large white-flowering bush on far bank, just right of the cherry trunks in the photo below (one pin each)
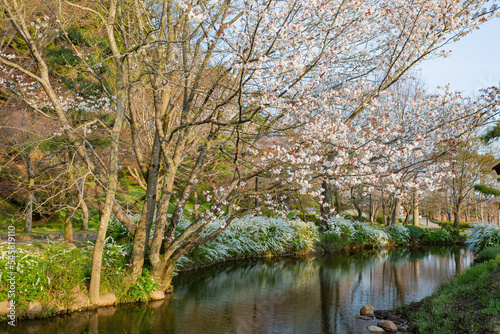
(252, 236)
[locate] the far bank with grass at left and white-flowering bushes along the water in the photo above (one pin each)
(43, 287)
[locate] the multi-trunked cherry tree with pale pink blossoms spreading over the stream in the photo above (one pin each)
(296, 89)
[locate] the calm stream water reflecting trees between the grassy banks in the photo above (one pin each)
(291, 295)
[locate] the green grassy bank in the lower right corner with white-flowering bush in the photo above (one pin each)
(468, 303)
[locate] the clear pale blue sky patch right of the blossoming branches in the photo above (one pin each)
(474, 62)
